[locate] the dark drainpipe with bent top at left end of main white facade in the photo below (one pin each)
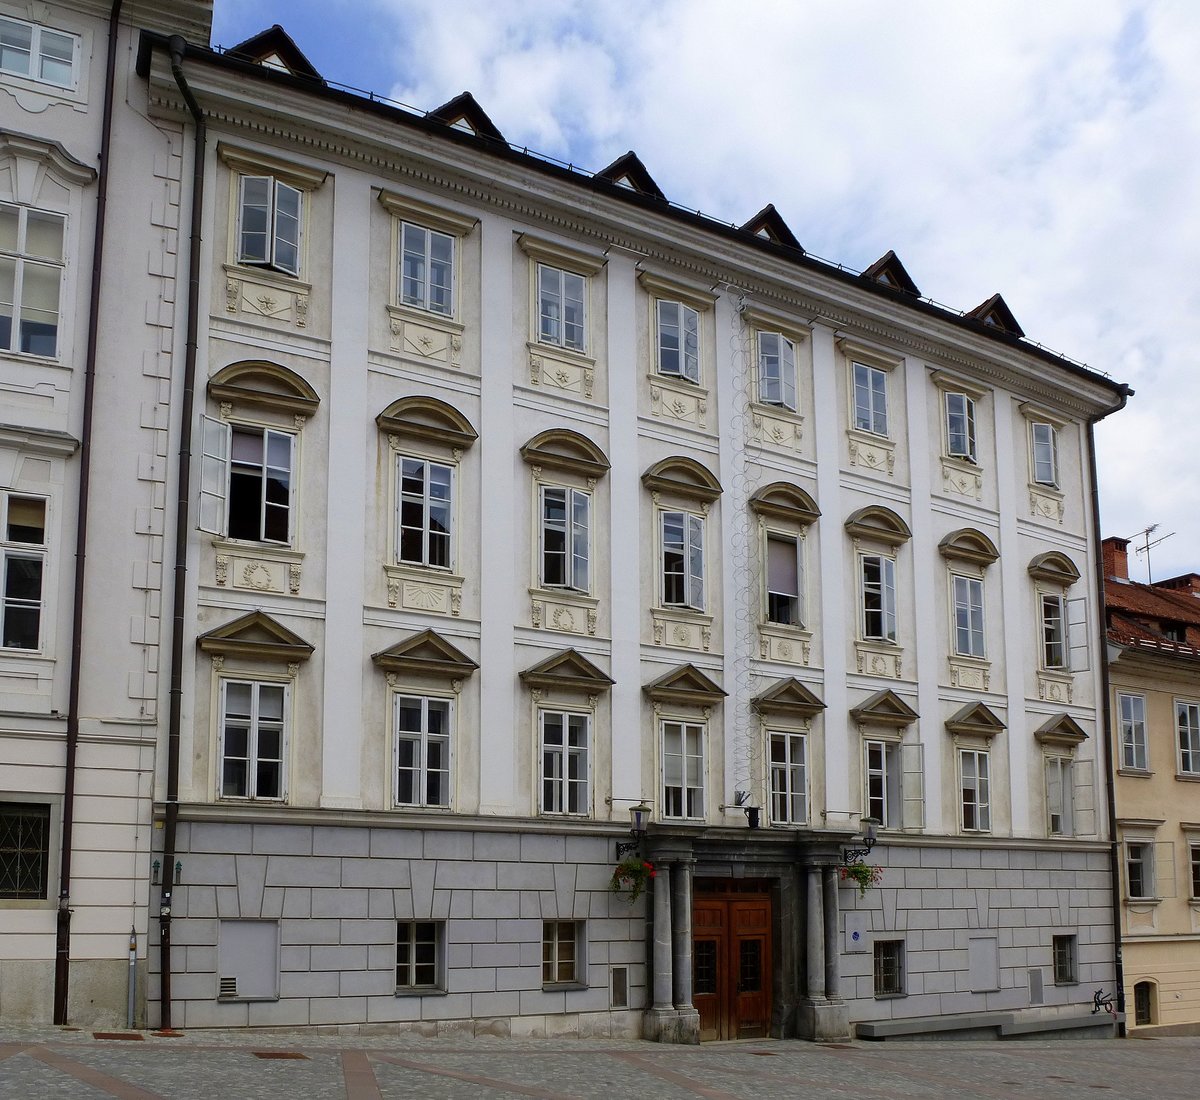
(177, 46)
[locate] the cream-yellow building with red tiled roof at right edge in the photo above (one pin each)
(1154, 633)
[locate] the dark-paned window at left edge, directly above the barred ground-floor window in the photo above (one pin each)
(22, 570)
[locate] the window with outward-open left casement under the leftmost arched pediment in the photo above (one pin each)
(247, 483)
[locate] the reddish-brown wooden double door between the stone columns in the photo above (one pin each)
(731, 958)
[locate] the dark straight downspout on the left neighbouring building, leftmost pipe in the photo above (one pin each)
(63, 931)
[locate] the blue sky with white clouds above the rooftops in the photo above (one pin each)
(1047, 152)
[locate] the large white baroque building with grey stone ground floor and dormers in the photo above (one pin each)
(511, 498)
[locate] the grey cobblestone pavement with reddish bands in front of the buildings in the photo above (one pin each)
(305, 1066)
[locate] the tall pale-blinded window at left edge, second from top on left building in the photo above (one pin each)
(32, 266)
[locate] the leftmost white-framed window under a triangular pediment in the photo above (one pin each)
(254, 740)
